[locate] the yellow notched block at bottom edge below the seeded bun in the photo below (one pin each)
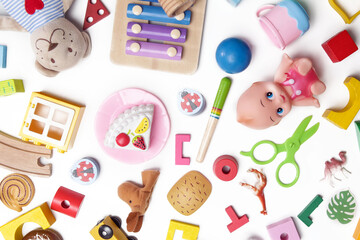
(190, 231)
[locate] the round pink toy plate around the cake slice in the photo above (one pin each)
(118, 103)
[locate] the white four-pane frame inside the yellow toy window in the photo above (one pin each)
(48, 121)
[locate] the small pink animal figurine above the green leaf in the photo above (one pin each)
(334, 166)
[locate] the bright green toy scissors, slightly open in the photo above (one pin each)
(290, 146)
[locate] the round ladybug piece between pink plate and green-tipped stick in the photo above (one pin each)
(191, 102)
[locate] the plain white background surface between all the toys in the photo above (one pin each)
(96, 78)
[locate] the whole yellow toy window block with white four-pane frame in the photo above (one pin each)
(51, 121)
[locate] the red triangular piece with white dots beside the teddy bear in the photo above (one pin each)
(95, 12)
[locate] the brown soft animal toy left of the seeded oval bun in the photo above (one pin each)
(138, 198)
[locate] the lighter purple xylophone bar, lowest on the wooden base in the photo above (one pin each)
(154, 50)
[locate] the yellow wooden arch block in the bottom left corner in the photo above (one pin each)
(41, 215)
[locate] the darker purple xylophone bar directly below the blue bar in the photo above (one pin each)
(156, 32)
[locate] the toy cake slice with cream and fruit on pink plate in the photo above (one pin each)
(131, 130)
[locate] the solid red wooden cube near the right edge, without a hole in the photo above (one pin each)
(340, 46)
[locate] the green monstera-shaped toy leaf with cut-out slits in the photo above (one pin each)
(342, 207)
